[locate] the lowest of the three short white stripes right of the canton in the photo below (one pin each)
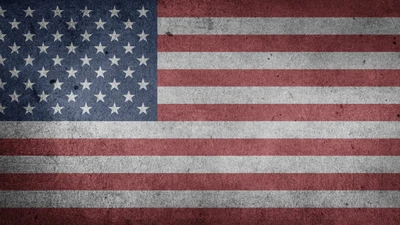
(279, 95)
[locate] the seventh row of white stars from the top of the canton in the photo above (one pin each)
(85, 85)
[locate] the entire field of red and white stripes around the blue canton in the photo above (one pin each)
(268, 112)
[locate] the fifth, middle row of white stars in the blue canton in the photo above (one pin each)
(85, 61)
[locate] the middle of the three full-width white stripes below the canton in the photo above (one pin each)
(200, 164)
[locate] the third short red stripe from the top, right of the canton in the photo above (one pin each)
(278, 78)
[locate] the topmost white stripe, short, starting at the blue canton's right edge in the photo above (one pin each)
(289, 26)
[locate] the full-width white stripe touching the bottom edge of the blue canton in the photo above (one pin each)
(277, 129)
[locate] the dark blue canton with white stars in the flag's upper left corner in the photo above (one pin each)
(78, 60)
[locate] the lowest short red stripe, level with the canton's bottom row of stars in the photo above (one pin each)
(278, 112)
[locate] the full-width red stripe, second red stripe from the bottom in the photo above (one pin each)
(200, 181)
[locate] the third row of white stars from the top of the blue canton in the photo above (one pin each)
(85, 37)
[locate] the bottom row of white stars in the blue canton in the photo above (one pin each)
(85, 109)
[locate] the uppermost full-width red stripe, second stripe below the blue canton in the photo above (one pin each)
(200, 147)
